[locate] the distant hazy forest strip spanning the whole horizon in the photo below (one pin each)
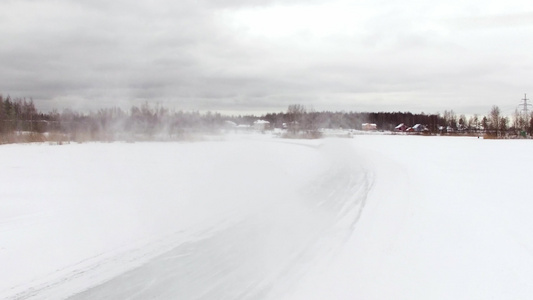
(20, 121)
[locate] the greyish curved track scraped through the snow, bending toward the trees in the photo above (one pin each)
(263, 255)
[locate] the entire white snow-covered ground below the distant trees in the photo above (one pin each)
(257, 217)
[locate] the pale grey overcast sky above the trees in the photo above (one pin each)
(260, 56)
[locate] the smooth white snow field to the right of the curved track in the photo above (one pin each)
(448, 218)
